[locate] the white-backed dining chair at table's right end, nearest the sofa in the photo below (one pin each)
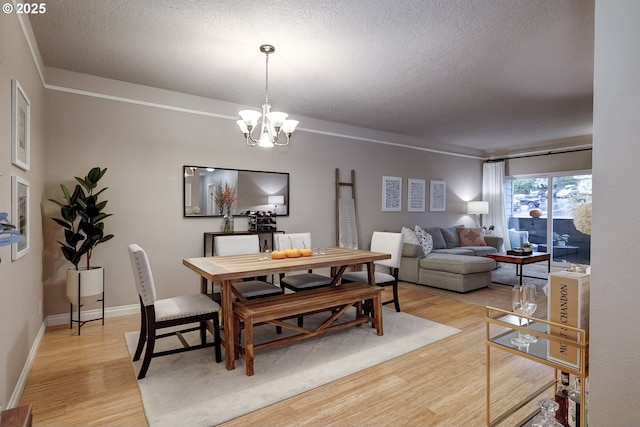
(386, 271)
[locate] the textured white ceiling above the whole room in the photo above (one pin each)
(493, 76)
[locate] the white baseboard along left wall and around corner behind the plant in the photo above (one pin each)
(59, 319)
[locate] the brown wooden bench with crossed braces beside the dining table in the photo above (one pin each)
(276, 309)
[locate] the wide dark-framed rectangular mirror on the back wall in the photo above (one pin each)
(256, 191)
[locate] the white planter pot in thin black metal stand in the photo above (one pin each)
(93, 282)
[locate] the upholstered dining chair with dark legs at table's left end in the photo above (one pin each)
(158, 314)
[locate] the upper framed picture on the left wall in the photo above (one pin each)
(20, 126)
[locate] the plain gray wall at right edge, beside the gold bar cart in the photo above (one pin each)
(615, 294)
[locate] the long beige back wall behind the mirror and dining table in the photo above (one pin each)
(144, 149)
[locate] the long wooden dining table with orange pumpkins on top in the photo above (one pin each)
(227, 269)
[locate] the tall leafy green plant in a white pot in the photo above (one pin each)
(82, 219)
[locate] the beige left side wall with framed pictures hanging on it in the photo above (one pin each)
(20, 280)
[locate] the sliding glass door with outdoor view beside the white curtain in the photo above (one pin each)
(540, 211)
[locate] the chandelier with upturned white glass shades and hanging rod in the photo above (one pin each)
(272, 122)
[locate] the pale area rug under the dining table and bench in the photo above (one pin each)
(191, 389)
